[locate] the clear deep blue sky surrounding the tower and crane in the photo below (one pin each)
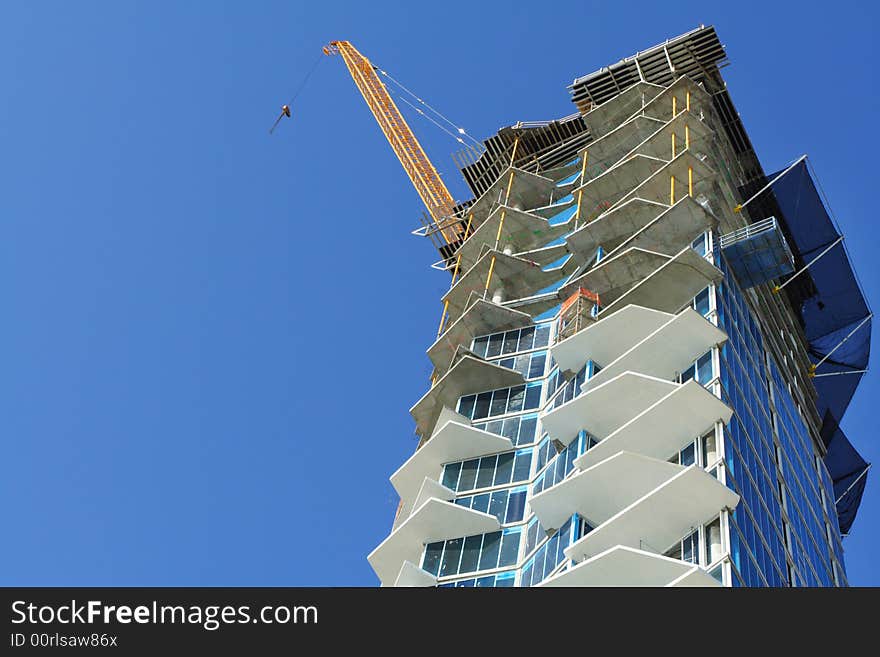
(211, 337)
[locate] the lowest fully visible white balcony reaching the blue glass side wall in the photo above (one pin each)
(688, 500)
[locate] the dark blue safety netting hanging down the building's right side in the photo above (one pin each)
(832, 306)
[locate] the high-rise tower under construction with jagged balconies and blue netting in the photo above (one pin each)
(643, 357)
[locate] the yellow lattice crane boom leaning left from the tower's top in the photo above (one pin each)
(412, 156)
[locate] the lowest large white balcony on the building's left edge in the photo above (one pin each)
(435, 520)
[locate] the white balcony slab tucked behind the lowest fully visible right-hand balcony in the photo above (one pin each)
(601, 491)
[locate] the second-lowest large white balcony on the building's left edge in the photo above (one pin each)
(454, 441)
